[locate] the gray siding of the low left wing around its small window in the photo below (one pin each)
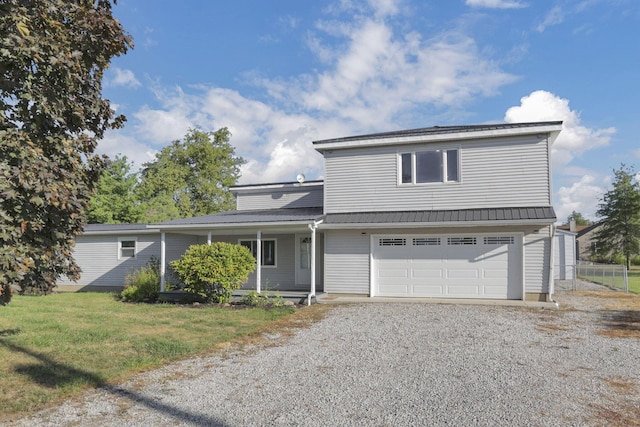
(97, 256)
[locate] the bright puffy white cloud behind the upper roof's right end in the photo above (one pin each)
(574, 139)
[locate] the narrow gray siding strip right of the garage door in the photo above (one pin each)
(537, 249)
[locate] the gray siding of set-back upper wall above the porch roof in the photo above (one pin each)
(277, 199)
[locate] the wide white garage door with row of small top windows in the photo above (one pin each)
(448, 266)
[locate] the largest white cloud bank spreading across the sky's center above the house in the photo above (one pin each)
(377, 77)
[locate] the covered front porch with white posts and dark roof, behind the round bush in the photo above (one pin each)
(287, 246)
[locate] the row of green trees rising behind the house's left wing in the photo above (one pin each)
(187, 178)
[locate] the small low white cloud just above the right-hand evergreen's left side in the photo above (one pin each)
(582, 196)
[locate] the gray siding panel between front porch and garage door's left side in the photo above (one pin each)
(346, 259)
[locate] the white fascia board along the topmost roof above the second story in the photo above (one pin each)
(552, 130)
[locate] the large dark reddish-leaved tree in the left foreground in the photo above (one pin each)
(53, 54)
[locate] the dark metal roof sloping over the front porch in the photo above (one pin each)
(282, 216)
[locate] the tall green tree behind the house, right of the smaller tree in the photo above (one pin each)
(190, 177)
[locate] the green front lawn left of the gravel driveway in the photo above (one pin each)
(54, 346)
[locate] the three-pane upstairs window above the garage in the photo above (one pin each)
(429, 166)
